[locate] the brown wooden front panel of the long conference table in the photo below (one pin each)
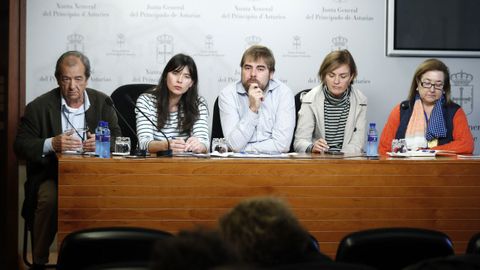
(330, 197)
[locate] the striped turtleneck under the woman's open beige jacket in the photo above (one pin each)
(336, 113)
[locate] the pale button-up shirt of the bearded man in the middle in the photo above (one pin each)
(269, 130)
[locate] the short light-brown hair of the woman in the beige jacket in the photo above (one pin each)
(334, 60)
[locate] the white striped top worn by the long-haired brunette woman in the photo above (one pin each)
(147, 132)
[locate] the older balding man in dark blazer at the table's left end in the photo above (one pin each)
(60, 120)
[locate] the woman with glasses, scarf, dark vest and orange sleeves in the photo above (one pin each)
(429, 118)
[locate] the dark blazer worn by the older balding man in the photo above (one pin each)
(42, 120)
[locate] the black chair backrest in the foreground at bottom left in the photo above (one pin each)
(87, 248)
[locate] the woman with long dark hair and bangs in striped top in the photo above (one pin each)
(177, 109)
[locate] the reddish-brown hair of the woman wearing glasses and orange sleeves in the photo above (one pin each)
(426, 66)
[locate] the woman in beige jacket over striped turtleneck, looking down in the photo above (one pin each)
(333, 115)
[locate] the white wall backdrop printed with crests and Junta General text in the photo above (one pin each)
(130, 42)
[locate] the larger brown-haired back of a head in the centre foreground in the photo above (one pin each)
(265, 232)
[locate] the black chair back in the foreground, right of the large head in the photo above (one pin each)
(393, 248)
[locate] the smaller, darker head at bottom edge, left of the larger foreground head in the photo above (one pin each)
(197, 249)
